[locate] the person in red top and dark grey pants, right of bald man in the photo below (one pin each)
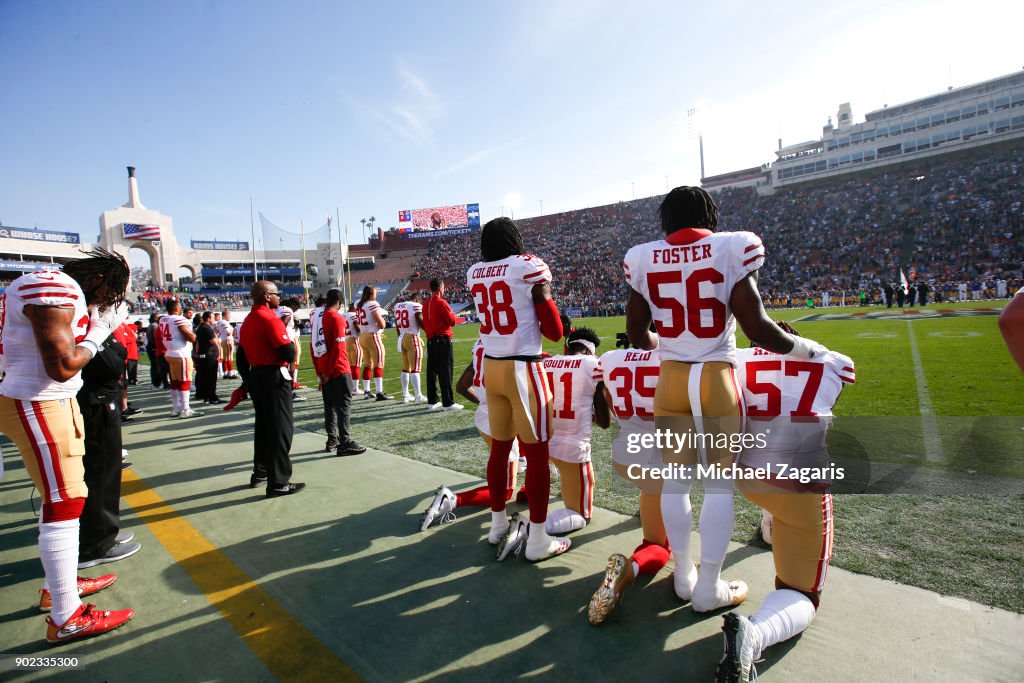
(336, 380)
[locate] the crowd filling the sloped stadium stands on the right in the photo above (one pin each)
(956, 221)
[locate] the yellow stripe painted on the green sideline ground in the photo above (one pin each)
(288, 650)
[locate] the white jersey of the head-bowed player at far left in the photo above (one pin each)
(26, 375)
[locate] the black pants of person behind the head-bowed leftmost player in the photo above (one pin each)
(101, 520)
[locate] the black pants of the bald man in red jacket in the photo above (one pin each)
(272, 396)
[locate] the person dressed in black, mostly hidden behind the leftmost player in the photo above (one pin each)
(101, 539)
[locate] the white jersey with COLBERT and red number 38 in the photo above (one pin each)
(503, 294)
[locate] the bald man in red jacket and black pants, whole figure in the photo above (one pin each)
(265, 355)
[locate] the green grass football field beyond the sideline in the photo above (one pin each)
(935, 394)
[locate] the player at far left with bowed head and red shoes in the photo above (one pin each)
(50, 335)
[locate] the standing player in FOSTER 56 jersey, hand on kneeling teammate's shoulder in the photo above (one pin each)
(696, 285)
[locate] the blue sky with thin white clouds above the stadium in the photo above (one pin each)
(311, 106)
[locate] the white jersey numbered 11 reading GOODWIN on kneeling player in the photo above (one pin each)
(574, 380)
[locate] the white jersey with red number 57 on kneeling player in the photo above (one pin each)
(780, 388)
